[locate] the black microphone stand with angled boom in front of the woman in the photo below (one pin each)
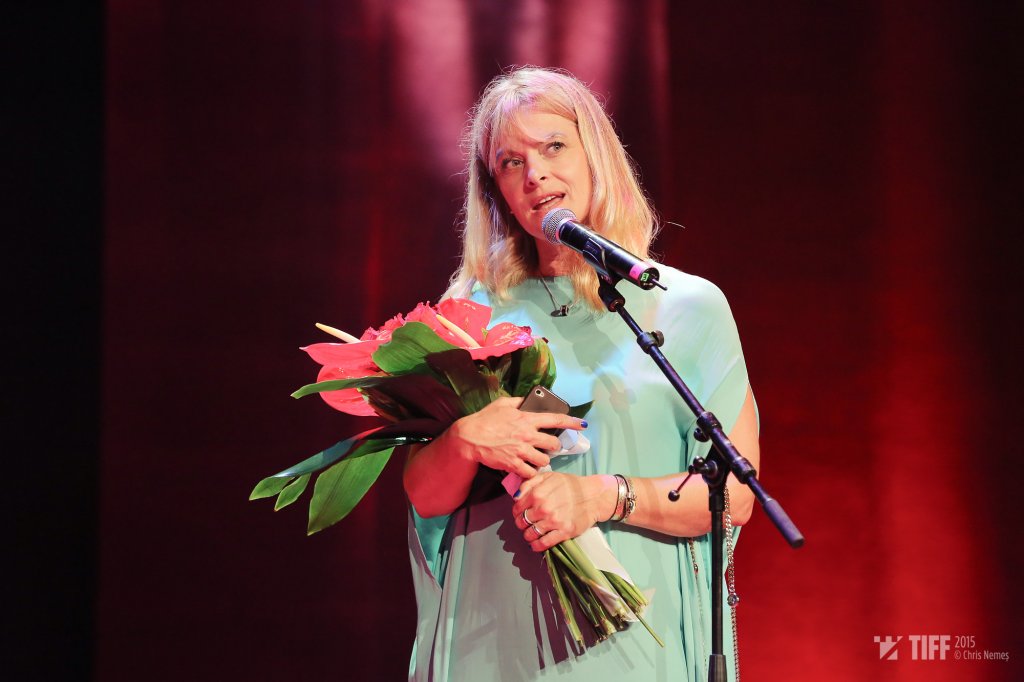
(715, 468)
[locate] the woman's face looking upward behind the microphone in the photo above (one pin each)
(540, 166)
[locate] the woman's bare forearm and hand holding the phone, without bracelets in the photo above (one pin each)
(439, 476)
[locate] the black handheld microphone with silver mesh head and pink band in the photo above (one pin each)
(611, 261)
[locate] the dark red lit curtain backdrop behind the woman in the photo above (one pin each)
(844, 172)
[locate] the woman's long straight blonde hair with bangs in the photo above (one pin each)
(497, 252)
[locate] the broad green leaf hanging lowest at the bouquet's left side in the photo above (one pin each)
(339, 489)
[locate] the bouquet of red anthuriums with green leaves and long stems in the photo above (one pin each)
(421, 372)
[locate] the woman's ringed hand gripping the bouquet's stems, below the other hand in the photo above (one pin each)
(561, 506)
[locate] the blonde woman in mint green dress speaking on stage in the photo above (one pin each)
(540, 141)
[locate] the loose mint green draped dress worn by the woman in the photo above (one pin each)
(486, 607)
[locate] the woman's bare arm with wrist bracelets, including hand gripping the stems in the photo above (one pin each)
(564, 506)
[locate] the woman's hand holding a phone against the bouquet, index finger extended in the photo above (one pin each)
(502, 437)
